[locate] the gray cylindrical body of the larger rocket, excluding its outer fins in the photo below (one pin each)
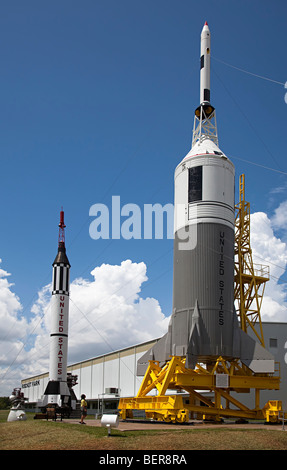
(203, 311)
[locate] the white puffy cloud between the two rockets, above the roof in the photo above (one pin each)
(108, 313)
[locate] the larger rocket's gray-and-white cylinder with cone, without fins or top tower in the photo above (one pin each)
(203, 300)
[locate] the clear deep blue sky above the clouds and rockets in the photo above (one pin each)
(97, 99)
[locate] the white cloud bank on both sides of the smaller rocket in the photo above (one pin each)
(107, 313)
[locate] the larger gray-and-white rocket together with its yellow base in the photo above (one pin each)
(205, 348)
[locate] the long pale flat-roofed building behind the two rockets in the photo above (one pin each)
(103, 379)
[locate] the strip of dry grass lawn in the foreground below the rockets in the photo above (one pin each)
(48, 435)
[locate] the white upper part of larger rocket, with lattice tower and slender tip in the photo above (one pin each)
(213, 173)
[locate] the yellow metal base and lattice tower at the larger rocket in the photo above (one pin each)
(174, 393)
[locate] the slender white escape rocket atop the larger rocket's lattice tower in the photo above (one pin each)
(205, 65)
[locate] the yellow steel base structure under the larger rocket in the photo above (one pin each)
(206, 389)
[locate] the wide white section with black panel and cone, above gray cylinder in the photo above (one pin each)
(215, 199)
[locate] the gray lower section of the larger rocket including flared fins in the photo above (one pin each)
(204, 325)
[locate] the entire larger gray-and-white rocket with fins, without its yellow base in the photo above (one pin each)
(204, 324)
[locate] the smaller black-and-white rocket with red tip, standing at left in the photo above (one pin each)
(57, 392)
